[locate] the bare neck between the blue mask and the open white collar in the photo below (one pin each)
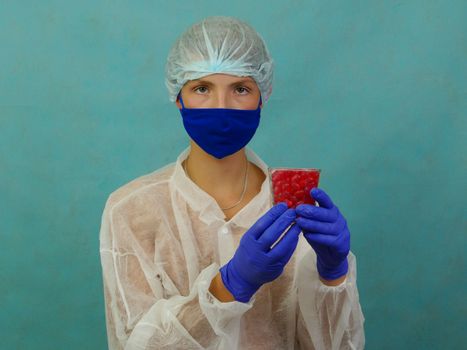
(221, 178)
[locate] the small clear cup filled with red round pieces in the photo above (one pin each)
(293, 185)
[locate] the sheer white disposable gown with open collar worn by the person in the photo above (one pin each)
(162, 241)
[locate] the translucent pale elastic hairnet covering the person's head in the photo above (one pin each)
(219, 44)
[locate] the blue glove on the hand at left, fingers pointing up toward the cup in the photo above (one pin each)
(254, 262)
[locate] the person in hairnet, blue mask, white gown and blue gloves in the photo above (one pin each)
(194, 255)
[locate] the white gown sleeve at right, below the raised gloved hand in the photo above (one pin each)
(328, 317)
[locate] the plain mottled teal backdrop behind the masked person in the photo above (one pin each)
(372, 92)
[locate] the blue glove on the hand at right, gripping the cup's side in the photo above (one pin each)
(326, 231)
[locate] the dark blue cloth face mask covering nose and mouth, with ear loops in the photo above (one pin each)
(220, 131)
